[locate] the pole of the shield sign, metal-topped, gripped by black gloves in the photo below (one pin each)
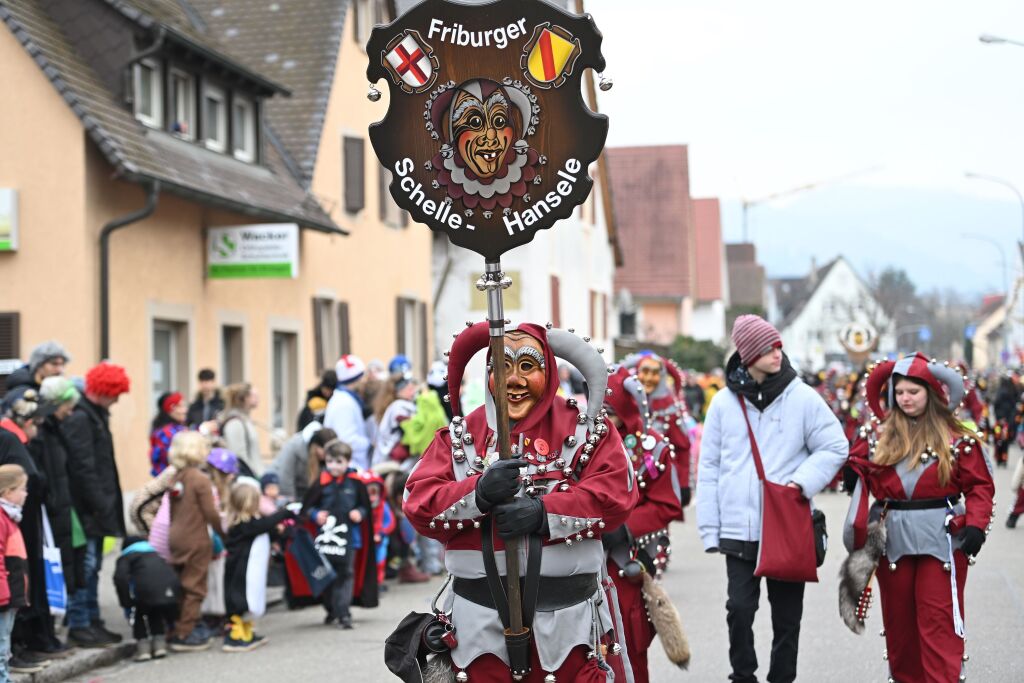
(496, 282)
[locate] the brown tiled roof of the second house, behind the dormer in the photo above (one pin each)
(296, 44)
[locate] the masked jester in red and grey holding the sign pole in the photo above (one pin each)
(569, 481)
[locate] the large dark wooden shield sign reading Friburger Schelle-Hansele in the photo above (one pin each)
(488, 138)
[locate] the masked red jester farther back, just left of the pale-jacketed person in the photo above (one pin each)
(668, 410)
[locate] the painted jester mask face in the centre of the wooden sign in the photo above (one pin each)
(483, 132)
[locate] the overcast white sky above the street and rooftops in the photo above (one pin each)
(776, 95)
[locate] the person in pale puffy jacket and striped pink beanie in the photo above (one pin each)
(802, 445)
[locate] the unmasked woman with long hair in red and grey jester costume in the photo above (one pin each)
(933, 490)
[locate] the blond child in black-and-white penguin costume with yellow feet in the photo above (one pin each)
(248, 544)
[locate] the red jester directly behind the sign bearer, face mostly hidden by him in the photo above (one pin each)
(642, 545)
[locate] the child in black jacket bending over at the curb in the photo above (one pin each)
(149, 591)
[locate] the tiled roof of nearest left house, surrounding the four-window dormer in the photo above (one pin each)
(141, 154)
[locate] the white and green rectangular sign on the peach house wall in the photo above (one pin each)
(253, 251)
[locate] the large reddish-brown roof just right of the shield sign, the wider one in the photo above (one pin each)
(651, 192)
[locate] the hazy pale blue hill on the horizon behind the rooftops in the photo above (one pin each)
(914, 229)
